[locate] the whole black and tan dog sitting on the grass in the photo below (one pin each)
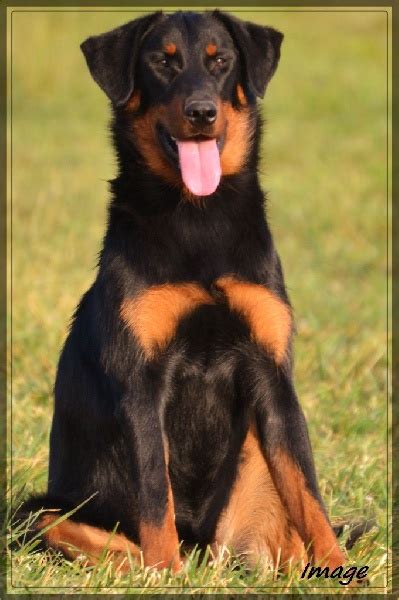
(174, 402)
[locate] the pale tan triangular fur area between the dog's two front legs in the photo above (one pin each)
(255, 523)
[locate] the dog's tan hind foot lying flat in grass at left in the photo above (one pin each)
(74, 539)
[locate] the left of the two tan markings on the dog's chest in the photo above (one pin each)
(154, 315)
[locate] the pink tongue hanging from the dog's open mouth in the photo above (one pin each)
(200, 166)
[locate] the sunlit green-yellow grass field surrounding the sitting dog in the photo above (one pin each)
(324, 166)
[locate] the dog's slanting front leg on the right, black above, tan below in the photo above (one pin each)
(285, 442)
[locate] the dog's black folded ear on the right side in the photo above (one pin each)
(259, 49)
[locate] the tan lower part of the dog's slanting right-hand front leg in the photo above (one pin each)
(306, 513)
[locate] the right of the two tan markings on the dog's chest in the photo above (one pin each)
(268, 318)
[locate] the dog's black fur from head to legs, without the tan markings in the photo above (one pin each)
(113, 407)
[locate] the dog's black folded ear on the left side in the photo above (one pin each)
(112, 56)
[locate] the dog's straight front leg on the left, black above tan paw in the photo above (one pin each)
(142, 419)
